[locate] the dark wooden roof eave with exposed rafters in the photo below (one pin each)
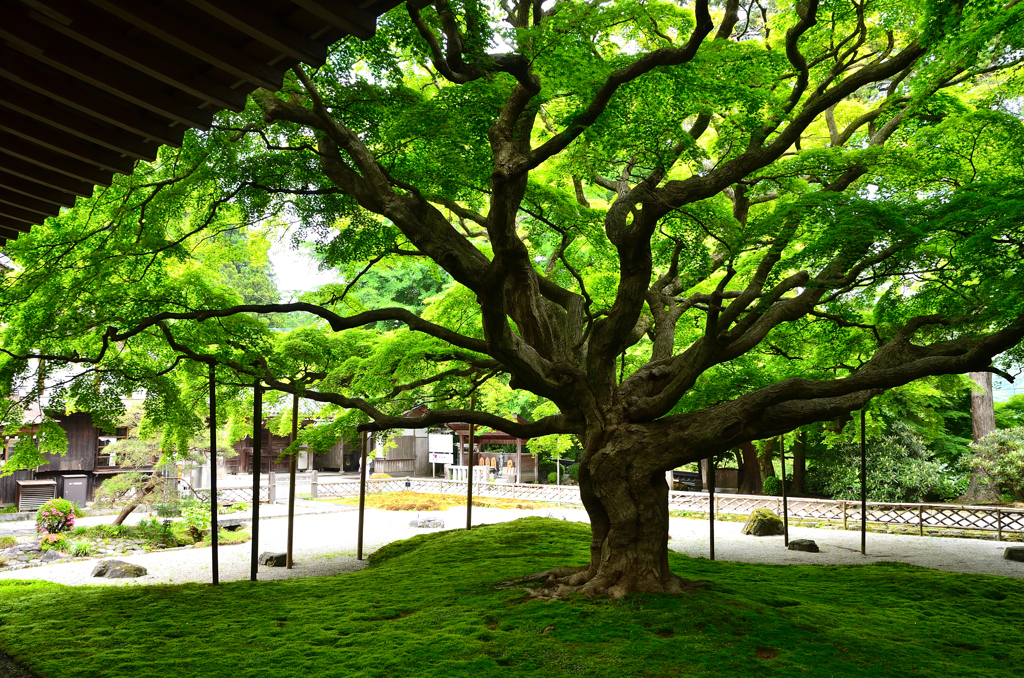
(90, 88)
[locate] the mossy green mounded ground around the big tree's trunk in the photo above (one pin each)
(430, 607)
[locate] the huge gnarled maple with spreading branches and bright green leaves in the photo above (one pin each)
(687, 230)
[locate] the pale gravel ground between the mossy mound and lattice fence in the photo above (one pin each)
(325, 544)
